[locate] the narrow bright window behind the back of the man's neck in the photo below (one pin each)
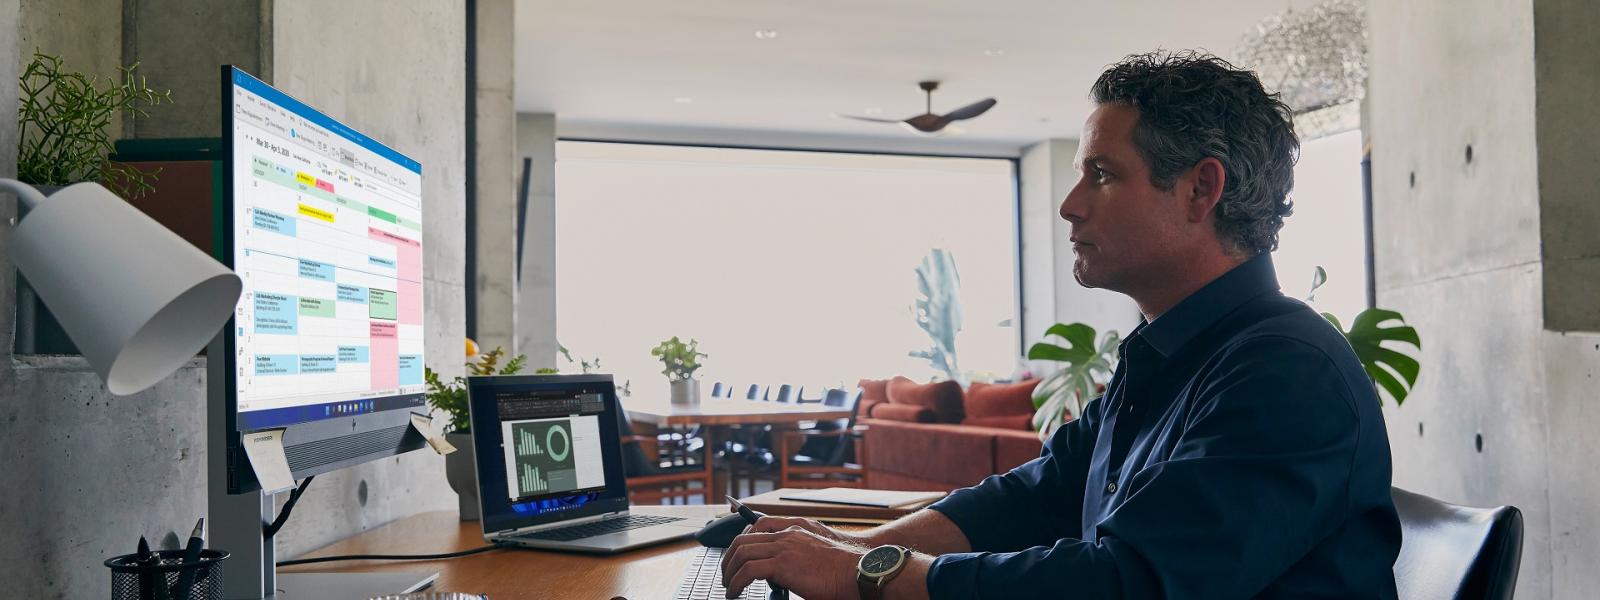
(1327, 228)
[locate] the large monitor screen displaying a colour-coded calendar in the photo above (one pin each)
(329, 241)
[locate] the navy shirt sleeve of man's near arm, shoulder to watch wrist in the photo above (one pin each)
(1260, 476)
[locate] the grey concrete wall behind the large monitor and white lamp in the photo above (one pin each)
(89, 473)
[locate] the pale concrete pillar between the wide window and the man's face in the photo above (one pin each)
(1047, 175)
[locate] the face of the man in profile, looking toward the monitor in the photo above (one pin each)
(1127, 234)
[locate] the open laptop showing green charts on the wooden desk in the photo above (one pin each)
(550, 463)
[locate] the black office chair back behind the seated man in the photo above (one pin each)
(1457, 553)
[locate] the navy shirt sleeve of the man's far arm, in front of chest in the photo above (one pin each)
(1026, 506)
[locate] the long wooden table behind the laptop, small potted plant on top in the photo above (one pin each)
(719, 415)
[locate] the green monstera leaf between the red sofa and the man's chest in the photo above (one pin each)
(1086, 366)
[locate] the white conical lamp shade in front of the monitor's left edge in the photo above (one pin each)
(137, 300)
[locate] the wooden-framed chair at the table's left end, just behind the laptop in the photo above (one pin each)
(663, 470)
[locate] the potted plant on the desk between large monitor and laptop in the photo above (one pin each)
(452, 399)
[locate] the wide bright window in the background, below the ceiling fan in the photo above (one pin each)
(790, 268)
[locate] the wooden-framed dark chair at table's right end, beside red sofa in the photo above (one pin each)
(825, 458)
